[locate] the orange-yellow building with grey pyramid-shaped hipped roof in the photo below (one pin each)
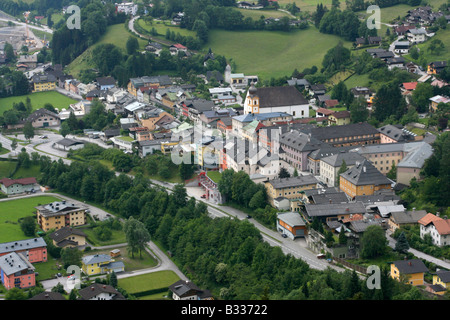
(363, 179)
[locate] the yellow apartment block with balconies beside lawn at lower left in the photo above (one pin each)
(57, 215)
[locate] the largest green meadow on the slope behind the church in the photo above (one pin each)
(270, 53)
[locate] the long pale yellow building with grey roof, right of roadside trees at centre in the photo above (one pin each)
(291, 188)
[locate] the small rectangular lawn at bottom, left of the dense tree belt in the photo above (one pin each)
(149, 281)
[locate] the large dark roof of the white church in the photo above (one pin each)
(279, 96)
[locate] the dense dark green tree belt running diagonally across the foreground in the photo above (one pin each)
(224, 255)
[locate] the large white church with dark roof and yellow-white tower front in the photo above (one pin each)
(285, 99)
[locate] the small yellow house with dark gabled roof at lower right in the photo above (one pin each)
(411, 271)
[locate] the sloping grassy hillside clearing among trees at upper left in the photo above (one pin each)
(116, 34)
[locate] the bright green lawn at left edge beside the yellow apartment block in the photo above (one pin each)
(12, 210)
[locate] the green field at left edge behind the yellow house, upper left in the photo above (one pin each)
(38, 100)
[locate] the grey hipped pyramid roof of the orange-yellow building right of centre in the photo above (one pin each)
(365, 173)
